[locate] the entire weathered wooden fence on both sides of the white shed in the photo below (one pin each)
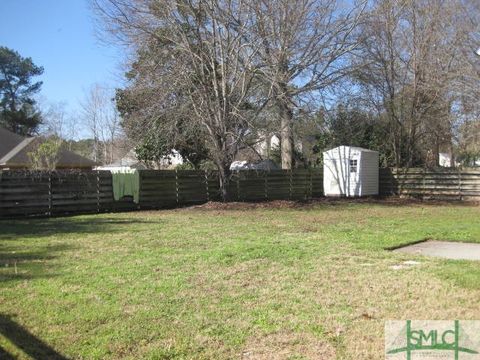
(40, 193)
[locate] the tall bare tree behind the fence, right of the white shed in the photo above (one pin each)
(412, 65)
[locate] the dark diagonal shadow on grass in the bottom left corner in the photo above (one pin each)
(25, 341)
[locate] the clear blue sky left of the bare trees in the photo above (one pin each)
(59, 35)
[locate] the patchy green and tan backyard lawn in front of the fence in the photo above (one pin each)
(309, 282)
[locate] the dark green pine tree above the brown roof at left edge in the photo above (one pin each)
(17, 106)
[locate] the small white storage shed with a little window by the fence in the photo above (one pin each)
(350, 171)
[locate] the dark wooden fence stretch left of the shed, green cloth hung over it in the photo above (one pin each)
(40, 193)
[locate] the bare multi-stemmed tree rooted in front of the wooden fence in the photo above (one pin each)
(201, 64)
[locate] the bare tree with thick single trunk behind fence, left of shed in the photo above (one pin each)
(302, 51)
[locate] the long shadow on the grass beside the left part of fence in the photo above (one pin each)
(11, 229)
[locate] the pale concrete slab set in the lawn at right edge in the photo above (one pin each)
(444, 249)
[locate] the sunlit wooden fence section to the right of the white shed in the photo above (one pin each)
(439, 184)
